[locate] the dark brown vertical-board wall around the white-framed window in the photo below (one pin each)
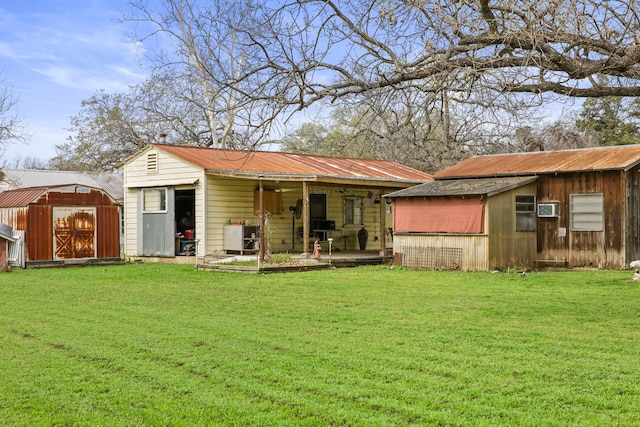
(558, 243)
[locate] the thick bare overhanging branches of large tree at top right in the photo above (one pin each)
(324, 49)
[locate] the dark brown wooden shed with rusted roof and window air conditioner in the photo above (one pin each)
(587, 201)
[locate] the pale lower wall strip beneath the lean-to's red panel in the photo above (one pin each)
(442, 251)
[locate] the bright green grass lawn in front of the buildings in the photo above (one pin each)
(168, 345)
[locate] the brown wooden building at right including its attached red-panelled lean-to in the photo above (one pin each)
(582, 207)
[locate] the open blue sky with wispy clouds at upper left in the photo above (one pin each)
(56, 53)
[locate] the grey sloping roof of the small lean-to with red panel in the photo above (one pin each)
(463, 187)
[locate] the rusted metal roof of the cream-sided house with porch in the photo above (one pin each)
(275, 164)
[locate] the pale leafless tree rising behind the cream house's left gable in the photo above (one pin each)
(207, 58)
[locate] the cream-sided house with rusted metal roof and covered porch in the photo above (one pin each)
(182, 200)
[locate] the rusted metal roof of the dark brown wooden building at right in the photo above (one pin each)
(621, 157)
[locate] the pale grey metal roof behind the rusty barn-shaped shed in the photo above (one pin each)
(112, 183)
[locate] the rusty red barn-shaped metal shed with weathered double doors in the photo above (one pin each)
(64, 224)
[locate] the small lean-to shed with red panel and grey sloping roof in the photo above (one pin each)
(467, 224)
